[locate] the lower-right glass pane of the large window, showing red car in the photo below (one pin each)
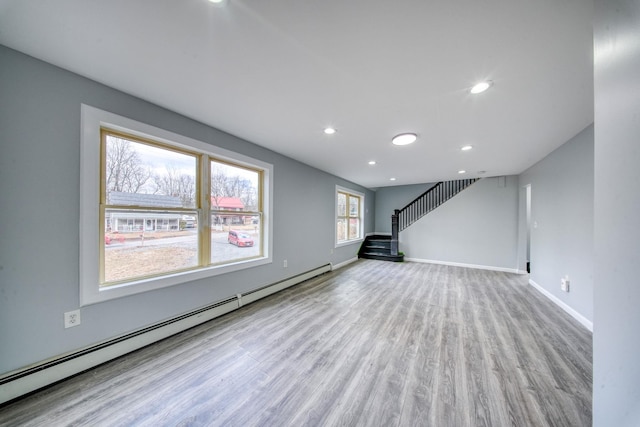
(235, 237)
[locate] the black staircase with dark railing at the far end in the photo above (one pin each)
(384, 247)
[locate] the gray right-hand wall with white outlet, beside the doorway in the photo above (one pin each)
(562, 208)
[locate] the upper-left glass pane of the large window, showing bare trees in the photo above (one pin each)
(139, 174)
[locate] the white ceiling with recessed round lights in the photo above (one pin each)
(277, 72)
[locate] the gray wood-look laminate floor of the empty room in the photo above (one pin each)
(372, 344)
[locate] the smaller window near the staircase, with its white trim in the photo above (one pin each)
(349, 217)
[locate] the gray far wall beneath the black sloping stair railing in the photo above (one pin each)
(478, 226)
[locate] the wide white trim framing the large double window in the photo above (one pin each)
(92, 120)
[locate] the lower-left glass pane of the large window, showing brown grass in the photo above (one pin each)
(139, 243)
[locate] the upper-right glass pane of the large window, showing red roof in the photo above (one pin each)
(234, 188)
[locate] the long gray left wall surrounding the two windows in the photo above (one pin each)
(39, 214)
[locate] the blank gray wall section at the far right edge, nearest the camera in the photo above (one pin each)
(616, 338)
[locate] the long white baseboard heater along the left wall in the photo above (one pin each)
(27, 380)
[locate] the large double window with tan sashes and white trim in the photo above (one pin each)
(164, 209)
